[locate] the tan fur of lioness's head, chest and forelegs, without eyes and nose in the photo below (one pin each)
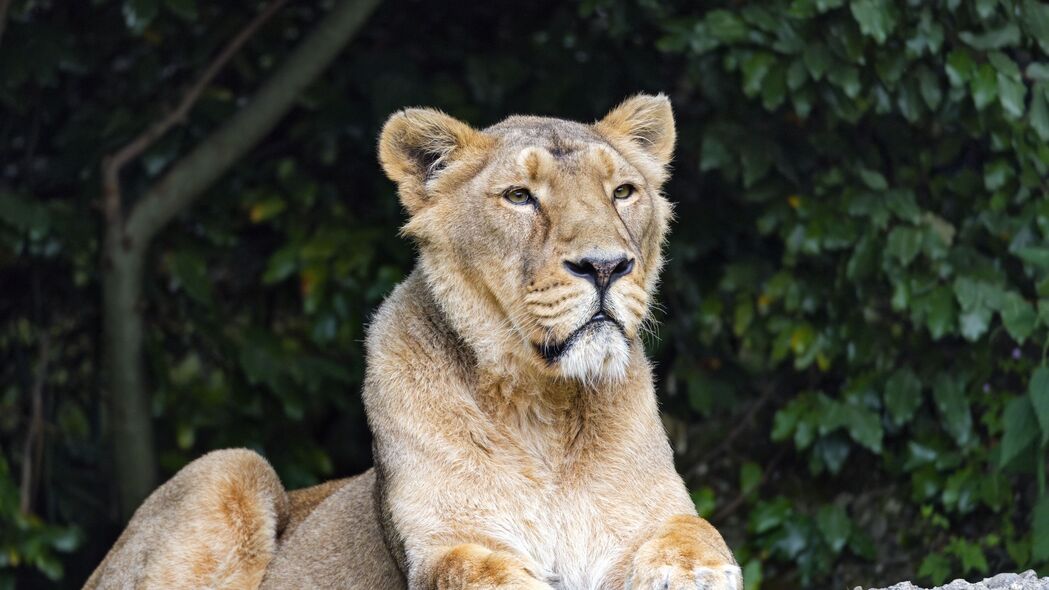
(503, 468)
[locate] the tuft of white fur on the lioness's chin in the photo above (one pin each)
(601, 354)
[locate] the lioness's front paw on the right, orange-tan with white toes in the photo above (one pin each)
(686, 554)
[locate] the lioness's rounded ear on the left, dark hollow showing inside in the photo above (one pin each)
(417, 144)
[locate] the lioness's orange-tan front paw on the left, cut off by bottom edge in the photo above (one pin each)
(474, 567)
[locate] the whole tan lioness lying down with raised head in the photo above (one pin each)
(518, 440)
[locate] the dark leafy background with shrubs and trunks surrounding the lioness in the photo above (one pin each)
(195, 230)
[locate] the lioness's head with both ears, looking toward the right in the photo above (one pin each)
(541, 239)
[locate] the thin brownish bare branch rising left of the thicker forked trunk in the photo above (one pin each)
(113, 164)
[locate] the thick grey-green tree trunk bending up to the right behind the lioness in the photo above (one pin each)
(129, 237)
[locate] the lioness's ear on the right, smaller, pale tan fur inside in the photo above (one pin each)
(647, 122)
